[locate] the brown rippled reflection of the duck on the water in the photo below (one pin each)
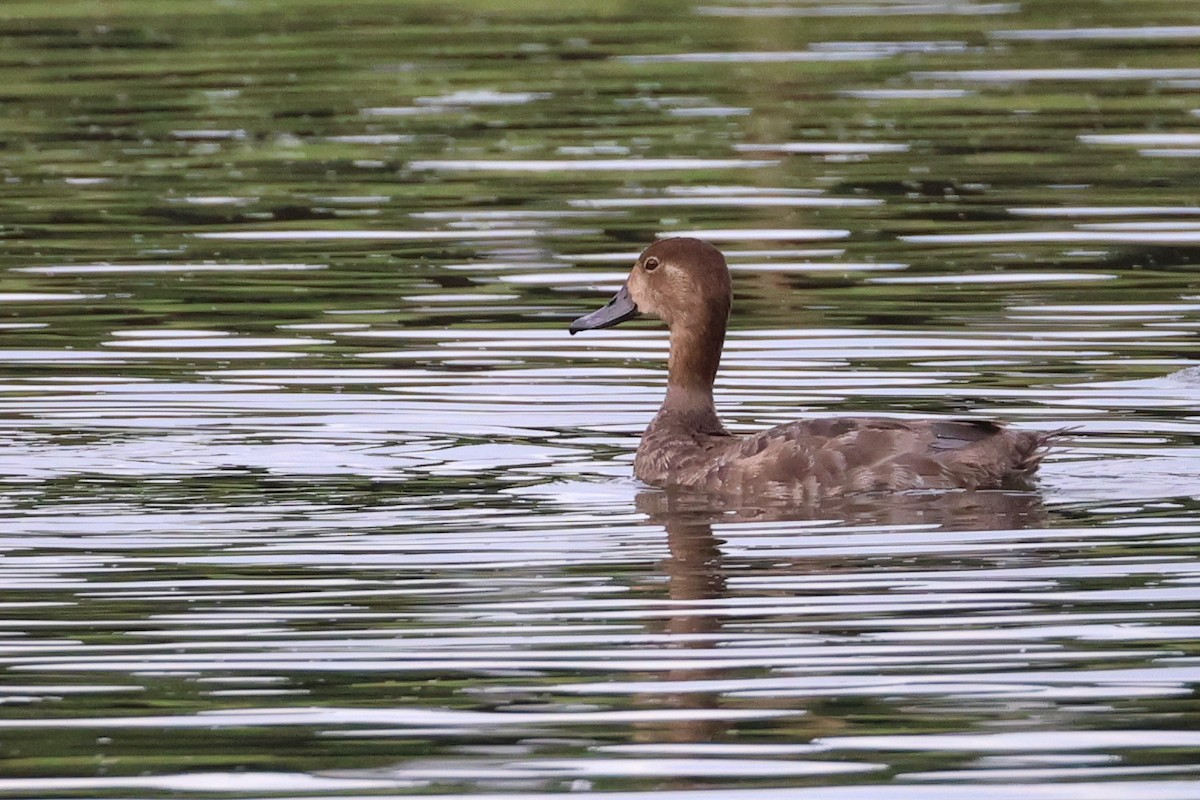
(700, 563)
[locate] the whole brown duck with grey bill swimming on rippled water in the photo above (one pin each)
(686, 284)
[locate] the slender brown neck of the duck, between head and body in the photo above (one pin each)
(692, 370)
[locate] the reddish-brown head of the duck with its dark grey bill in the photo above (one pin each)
(685, 282)
